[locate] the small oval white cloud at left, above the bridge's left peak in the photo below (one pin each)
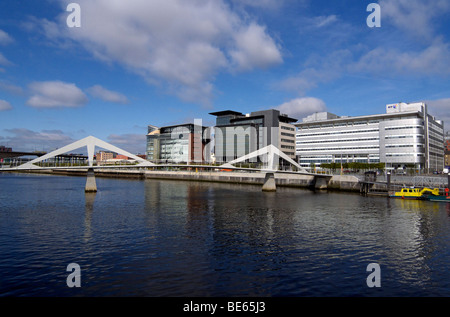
(51, 94)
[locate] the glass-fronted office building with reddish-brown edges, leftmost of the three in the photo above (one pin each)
(183, 143)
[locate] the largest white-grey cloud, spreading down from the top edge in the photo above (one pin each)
(183, 44)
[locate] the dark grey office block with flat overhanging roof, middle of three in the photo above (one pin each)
(237, 134)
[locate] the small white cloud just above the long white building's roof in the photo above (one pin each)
(302, 107)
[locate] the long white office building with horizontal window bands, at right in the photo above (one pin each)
(405, 136)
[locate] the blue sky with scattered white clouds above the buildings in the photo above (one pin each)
(163, 62)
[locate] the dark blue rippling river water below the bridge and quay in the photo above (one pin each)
(166, 238)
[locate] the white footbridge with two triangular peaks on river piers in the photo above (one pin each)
(270, 152)
